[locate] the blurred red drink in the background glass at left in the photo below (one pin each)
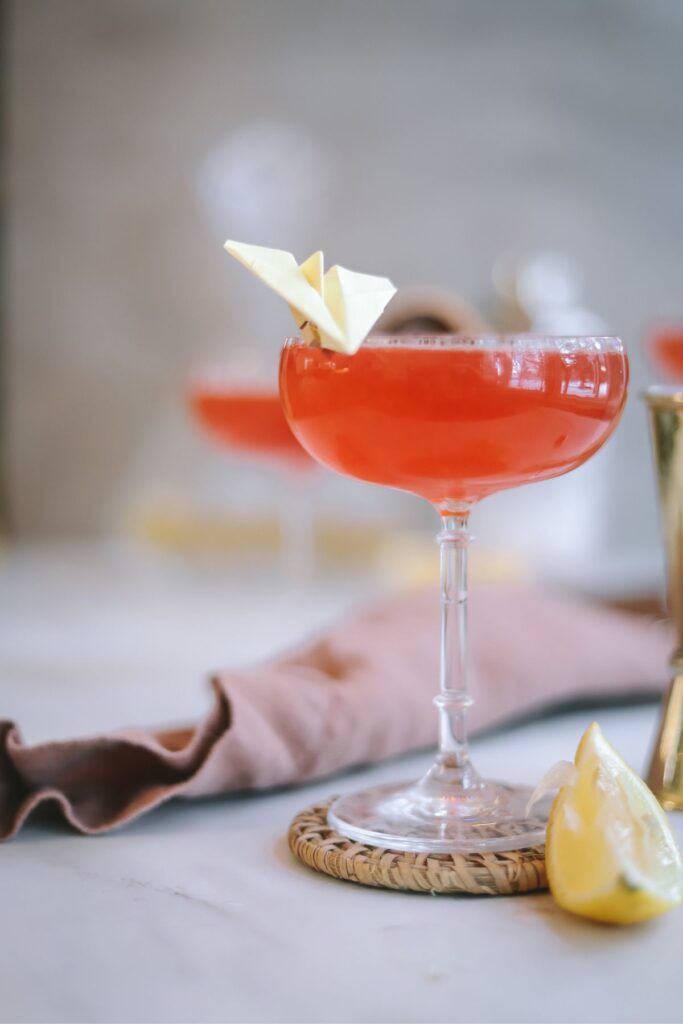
(249, 421)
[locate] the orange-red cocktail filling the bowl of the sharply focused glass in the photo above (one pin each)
(452, 424)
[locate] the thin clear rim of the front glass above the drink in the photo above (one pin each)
(486, 340)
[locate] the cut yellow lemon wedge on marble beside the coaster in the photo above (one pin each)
(611, 855)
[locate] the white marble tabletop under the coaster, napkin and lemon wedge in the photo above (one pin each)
(198, 913)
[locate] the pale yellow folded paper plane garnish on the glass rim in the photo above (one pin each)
(336, 310)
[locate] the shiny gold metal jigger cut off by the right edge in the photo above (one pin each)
(666, 414)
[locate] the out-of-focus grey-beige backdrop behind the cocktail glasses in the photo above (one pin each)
(522, 157)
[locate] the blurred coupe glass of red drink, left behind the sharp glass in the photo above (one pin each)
(246, 417)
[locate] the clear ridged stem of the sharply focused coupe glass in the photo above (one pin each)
(454, 700)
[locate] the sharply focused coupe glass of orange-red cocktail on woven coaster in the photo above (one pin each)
(452, 419)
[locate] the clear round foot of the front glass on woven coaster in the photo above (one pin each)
(492, 818)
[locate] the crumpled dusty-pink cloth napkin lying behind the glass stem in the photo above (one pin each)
(360, 693)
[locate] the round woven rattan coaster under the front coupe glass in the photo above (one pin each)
(319, 846)
